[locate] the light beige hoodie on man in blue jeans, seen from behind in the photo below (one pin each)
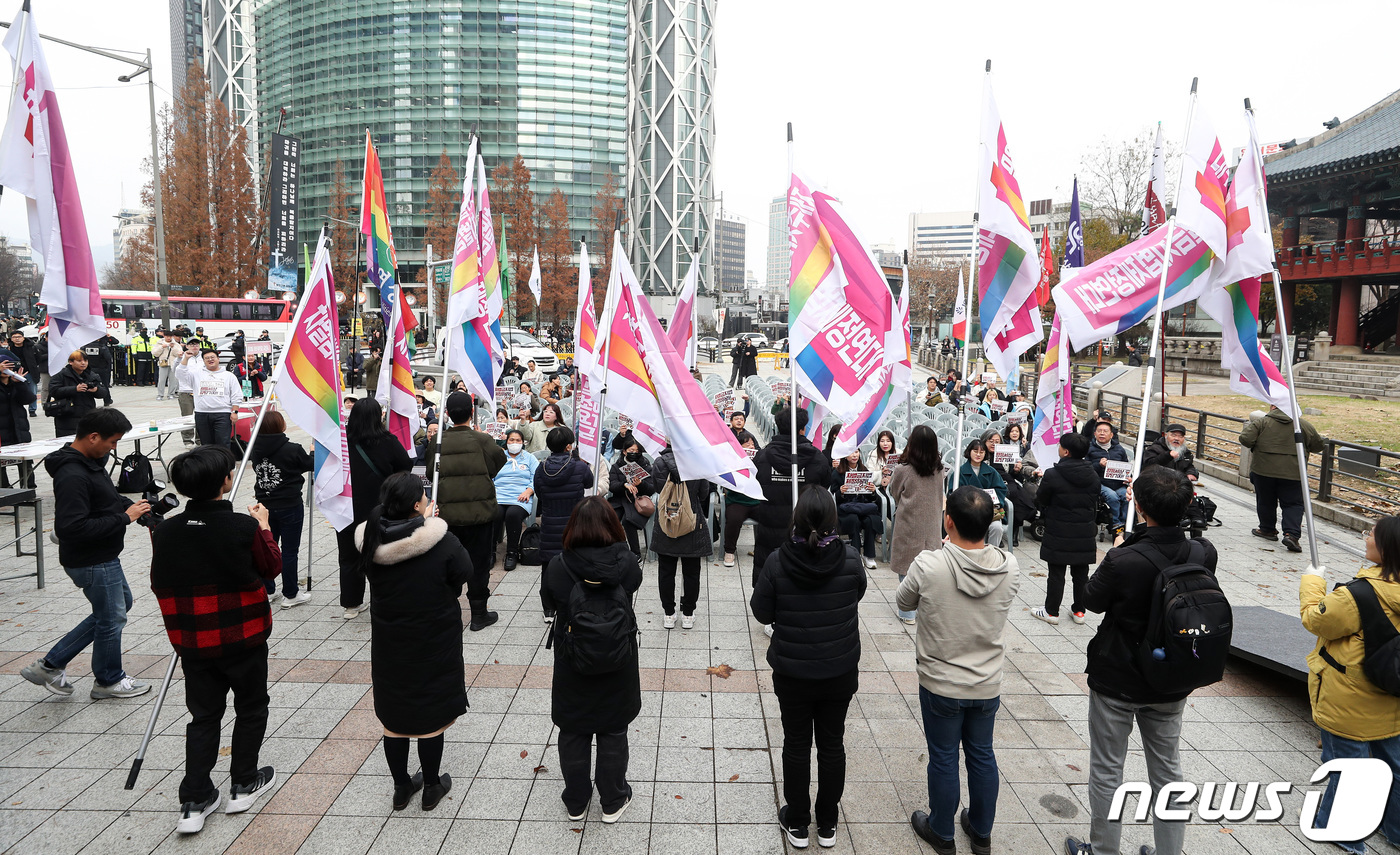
(962, 598)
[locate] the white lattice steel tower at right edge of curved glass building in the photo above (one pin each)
(671, 141)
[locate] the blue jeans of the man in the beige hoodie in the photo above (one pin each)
(950, 723)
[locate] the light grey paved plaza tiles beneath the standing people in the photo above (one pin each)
(705, 763)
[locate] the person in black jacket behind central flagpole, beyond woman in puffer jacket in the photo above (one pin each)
(773, 516)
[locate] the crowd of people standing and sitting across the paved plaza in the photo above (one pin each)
(953, 553)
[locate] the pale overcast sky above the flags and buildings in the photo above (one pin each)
(884, 94)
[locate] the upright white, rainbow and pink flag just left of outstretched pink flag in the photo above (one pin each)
(1007, 267)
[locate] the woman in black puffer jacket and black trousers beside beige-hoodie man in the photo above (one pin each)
(811, 591)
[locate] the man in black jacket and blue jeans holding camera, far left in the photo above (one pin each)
(90, 521)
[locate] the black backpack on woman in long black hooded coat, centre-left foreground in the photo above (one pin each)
(601, 635)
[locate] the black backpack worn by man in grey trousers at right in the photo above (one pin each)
(1189, 629)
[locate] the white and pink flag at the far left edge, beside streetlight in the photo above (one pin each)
(36, 163)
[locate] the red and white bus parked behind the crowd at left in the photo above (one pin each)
(219, 316)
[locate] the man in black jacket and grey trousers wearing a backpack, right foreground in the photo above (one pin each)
(1122, 590)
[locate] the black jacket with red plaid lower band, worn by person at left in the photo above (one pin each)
(213, 600)
